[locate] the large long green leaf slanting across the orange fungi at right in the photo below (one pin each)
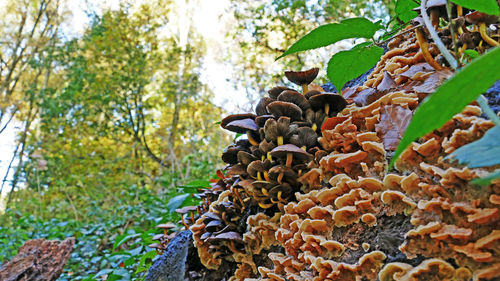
(449, 99)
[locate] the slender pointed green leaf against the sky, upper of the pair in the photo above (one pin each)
(331, 33)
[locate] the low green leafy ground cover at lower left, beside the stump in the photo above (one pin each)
(116, 244)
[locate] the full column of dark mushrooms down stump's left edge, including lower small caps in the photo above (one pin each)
(263, 169)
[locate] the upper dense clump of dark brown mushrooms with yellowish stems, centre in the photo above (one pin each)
(282, 140)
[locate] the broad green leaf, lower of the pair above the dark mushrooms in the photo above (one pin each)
(347, 65)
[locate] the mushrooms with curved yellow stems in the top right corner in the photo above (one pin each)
(468, 30)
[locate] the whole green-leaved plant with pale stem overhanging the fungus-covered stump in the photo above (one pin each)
(466, 85)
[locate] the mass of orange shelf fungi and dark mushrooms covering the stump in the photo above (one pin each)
(307, 195)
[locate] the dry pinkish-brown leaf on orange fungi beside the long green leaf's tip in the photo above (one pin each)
(393, 122)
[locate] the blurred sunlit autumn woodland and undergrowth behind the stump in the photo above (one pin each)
(116, 125)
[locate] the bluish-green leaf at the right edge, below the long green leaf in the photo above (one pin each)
(481, 153)
